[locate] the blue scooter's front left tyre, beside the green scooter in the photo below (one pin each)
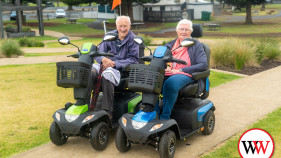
(121, 141)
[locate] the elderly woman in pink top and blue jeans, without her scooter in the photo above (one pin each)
(177, 75)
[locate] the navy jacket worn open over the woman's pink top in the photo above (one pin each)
(197, 57)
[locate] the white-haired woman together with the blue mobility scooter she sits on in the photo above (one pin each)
(192, 112)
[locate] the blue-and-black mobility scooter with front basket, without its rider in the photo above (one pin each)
(192, 112)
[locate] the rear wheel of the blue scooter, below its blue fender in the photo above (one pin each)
(209, 123)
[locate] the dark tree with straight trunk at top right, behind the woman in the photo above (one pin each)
(245, 4)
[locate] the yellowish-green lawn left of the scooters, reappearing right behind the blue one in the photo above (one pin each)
(29, 97)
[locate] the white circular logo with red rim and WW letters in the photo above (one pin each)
(256, 143)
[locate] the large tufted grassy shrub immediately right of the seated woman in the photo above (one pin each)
(232, 53)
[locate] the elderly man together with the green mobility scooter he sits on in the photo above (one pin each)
(81, 119)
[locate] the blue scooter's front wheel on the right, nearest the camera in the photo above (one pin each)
(167, 145)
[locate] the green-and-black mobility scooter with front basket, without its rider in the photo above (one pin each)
(80, 119)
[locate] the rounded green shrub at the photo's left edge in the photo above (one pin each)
(10, 48)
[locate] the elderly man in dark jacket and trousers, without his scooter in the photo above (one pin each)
(125, 52)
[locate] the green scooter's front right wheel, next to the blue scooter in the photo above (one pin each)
(99, 136)
